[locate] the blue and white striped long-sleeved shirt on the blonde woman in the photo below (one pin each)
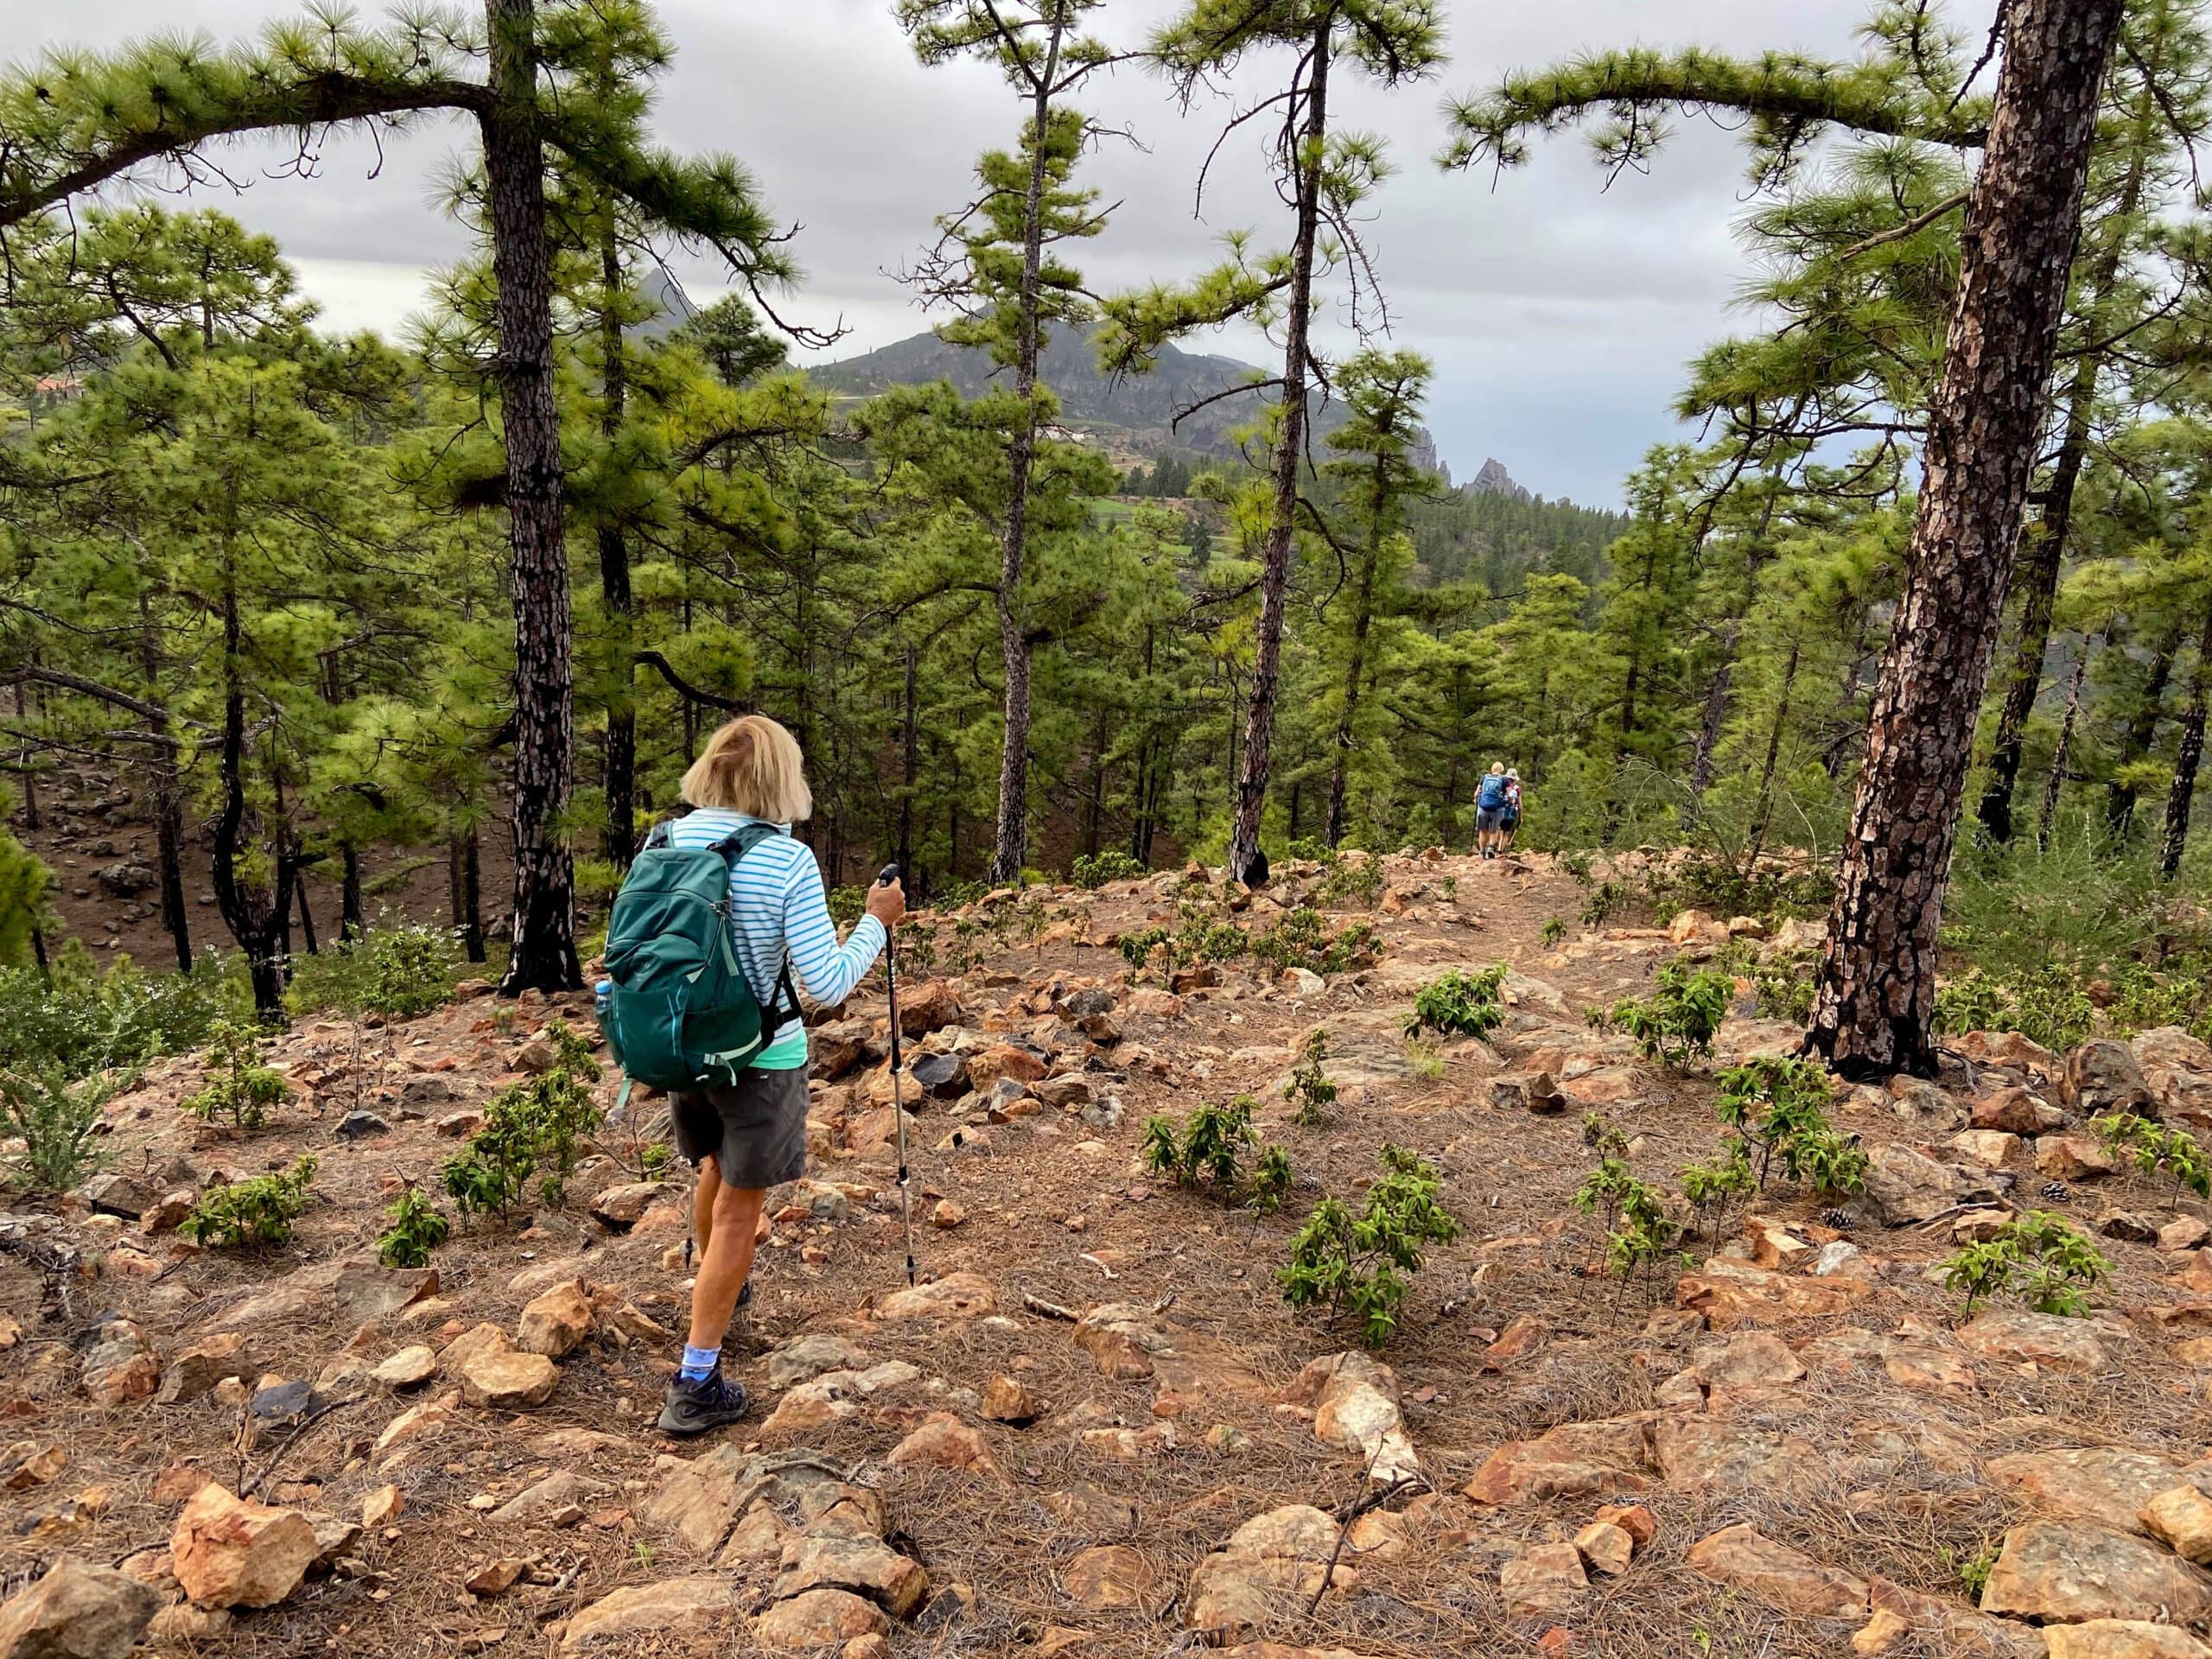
(782, 917)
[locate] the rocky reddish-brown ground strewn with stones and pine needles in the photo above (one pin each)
(1096, 1428)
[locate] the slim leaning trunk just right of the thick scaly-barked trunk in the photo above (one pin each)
(2038, 576)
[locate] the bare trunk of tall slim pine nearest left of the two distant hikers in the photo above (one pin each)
(1282, 543)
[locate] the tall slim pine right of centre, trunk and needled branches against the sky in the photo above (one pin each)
(1324, 174)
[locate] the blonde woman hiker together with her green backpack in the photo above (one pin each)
(749, 1131)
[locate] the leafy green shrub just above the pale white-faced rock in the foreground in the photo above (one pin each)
(1361, 1262)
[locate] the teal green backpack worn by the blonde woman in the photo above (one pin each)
(678, 1010)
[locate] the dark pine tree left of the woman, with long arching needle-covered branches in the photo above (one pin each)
(76, 121)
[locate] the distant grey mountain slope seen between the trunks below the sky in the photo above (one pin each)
(1134, 415)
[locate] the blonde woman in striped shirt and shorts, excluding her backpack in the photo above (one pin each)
(749, 784)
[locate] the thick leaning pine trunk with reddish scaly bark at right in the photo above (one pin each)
(1877, 983)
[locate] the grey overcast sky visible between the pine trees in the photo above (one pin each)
(1558, 311)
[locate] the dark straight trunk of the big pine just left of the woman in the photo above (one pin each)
(545, 693)
